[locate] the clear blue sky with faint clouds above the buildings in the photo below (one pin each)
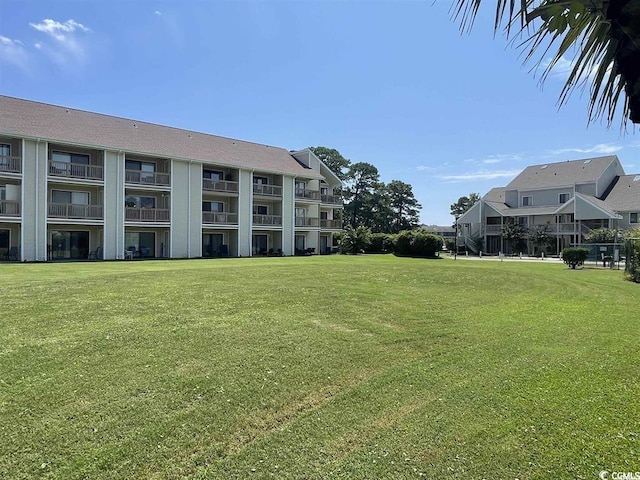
(392, 83)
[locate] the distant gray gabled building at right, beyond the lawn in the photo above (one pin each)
(570, 198)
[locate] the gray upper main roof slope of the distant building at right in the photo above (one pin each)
(562, 173)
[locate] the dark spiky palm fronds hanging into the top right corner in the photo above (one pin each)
(604, 34)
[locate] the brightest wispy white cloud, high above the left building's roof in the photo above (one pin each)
(66, 43)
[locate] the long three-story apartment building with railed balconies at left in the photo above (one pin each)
(81, 185)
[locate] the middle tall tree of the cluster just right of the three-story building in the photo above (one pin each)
(363, 180)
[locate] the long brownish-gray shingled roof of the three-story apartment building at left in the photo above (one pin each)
(25, 118)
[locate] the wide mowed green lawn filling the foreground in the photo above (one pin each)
(317, 367)
